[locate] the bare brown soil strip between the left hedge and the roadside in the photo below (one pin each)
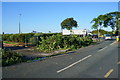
(30, 51)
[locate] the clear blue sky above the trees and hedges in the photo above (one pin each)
(47, 16)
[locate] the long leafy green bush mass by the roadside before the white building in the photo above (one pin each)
(56, 42)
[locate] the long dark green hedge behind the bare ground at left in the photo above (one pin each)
(25, 37)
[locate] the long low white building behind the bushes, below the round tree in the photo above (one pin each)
(83, 32)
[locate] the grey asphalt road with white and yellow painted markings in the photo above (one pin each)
(95, 61)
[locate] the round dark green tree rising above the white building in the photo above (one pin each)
(69, 23)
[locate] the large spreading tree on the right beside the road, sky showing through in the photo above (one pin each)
(106, 20)
